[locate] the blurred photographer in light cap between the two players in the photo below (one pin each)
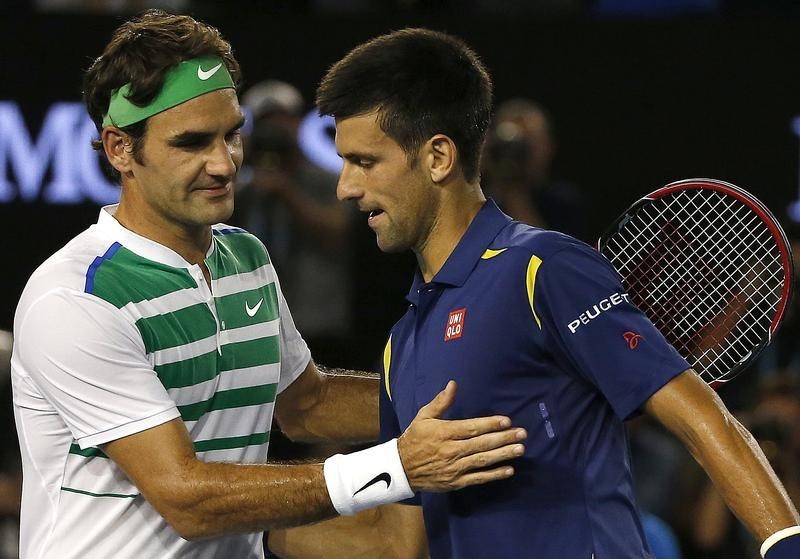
(290, 204)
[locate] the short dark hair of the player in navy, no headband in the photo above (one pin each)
(421, 82)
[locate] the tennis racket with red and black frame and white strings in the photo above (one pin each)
(710, 266)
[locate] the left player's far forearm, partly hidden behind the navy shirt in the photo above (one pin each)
(346, 409)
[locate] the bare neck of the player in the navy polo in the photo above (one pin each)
(456, 212)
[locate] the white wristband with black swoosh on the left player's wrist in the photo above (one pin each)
(366, 479)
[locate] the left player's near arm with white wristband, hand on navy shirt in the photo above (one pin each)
(200, 499)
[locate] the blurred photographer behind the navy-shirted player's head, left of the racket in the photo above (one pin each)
(518, 171)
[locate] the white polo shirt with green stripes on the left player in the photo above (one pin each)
(115, 334)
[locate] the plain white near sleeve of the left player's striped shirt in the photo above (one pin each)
(89, 363)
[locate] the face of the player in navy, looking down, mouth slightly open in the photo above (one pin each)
(399, 198)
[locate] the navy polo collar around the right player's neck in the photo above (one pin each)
(476, 239)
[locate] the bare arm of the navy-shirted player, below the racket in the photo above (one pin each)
(733, 460)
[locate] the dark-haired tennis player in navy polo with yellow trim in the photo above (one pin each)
(530, 323)
